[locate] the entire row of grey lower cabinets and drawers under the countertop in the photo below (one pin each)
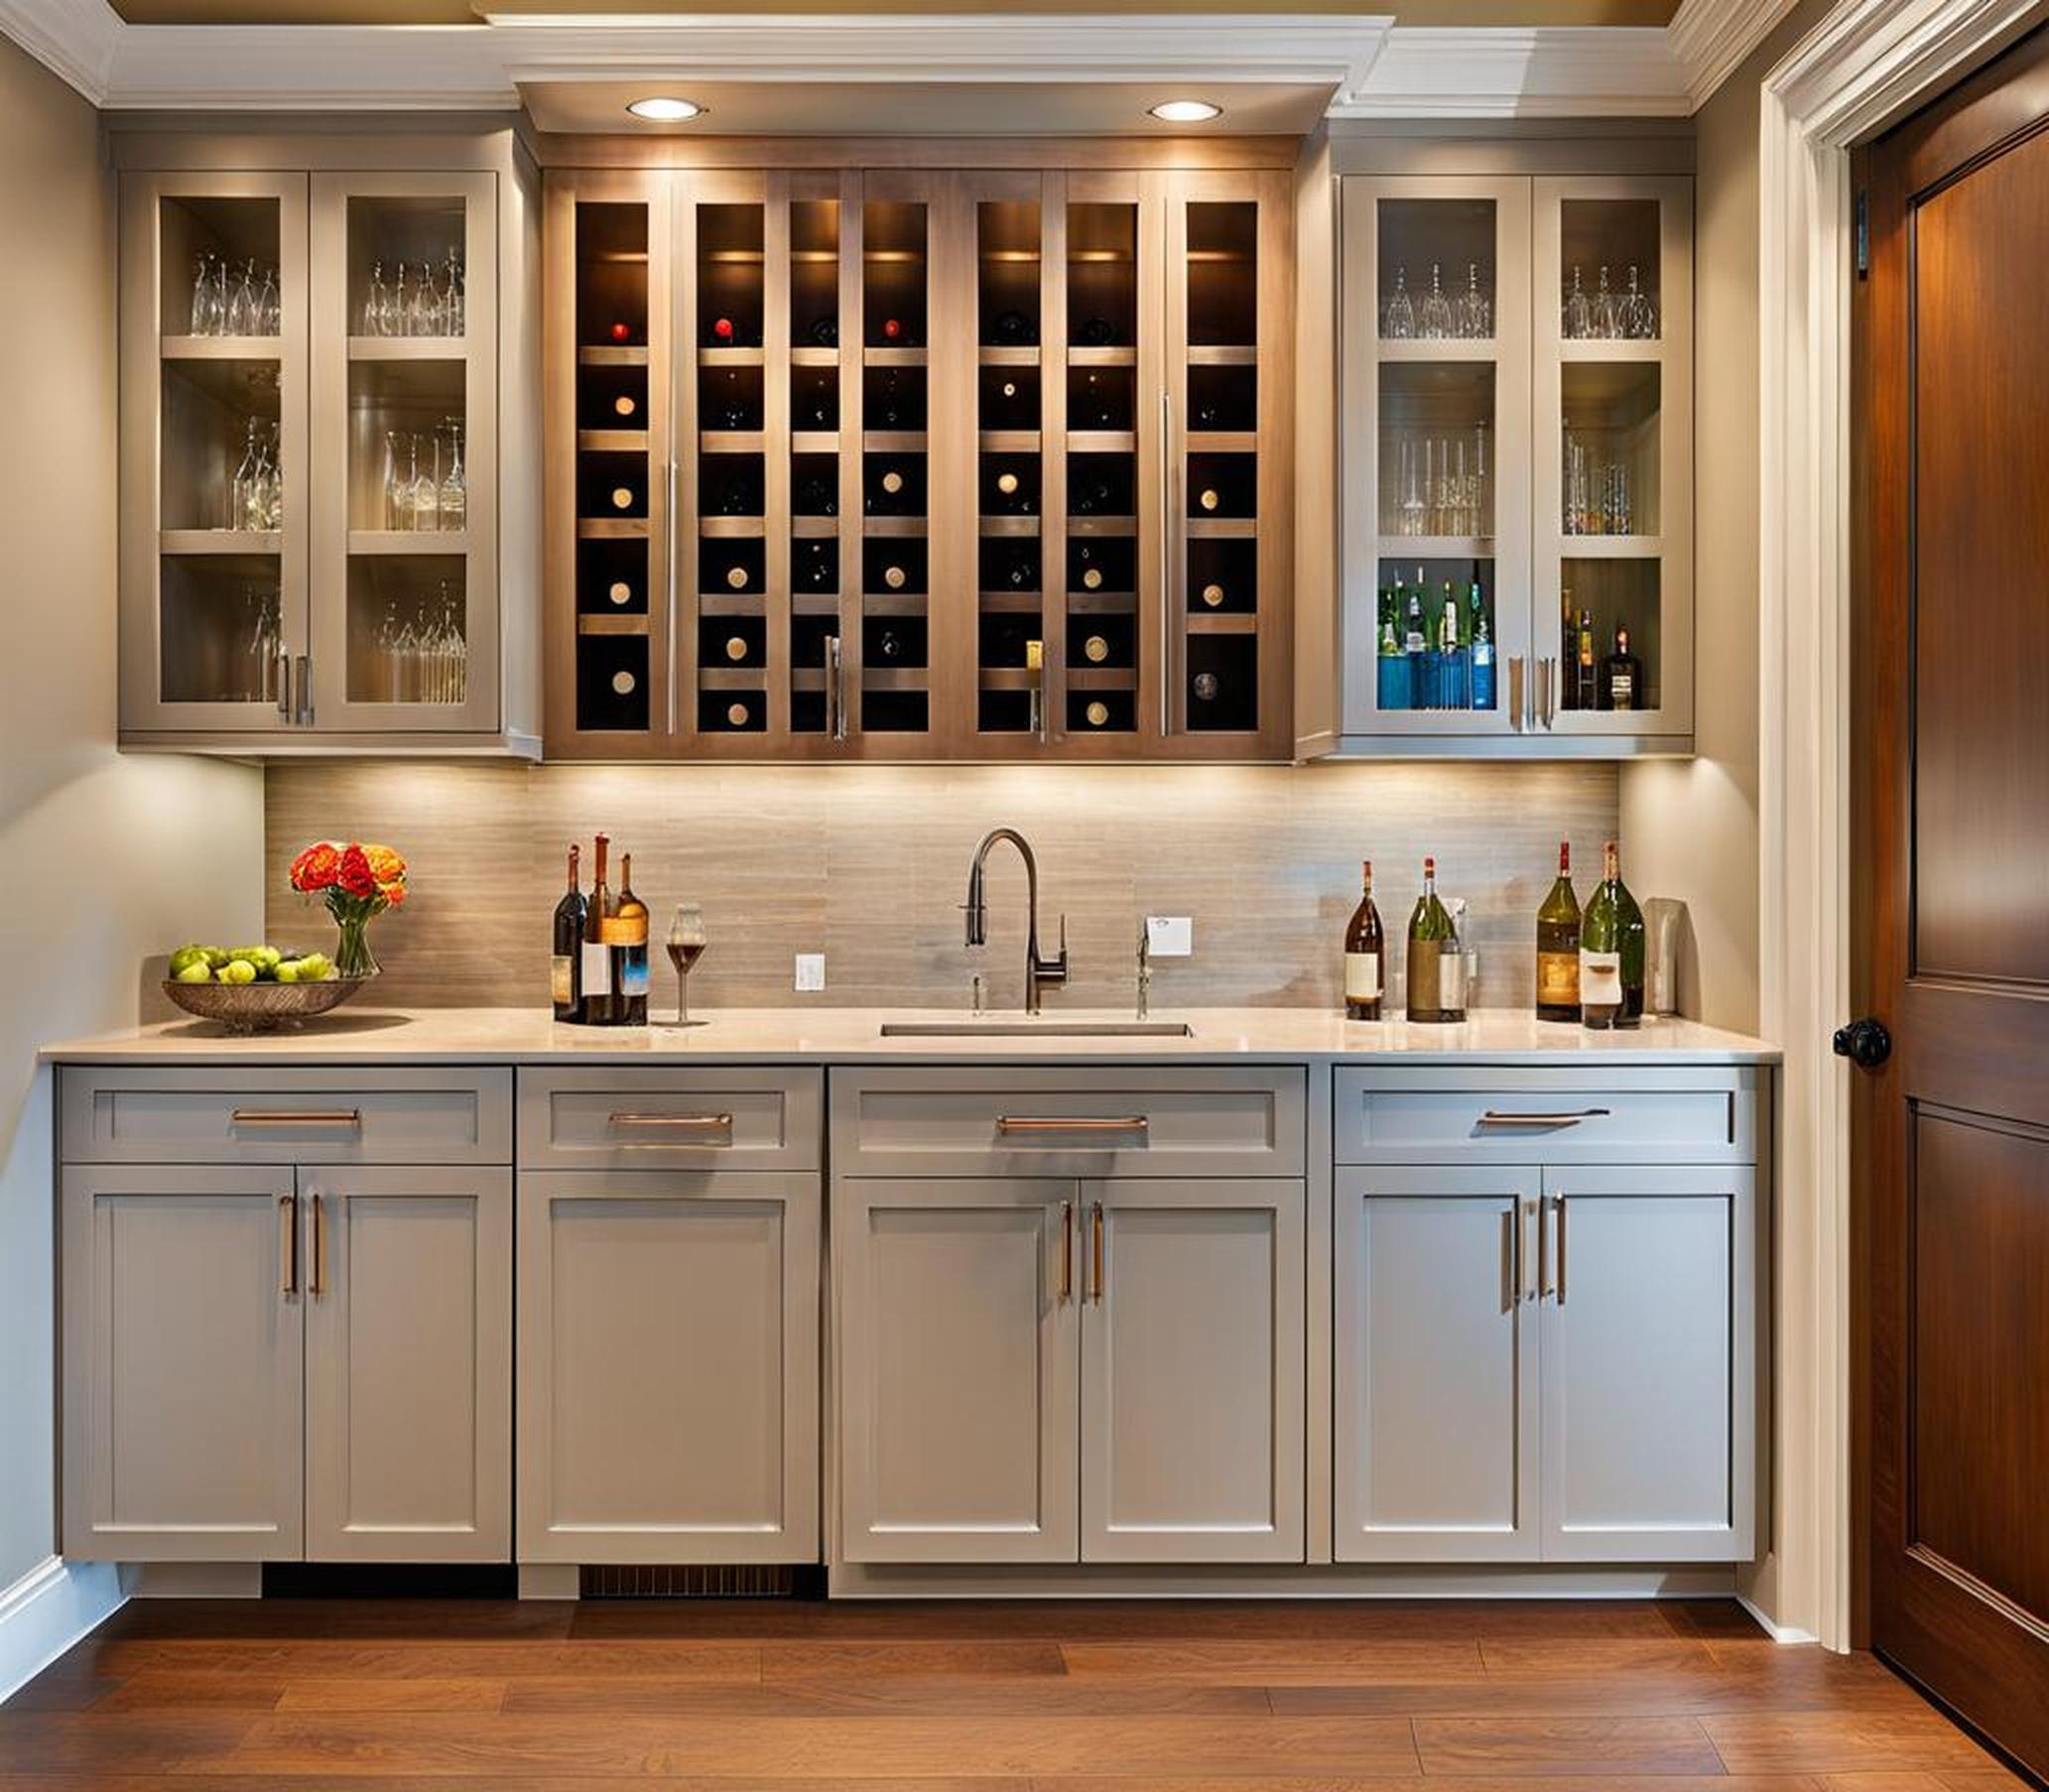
(913, 1320)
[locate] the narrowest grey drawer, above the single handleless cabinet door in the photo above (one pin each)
(665, 1119)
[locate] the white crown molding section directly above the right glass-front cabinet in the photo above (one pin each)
(1523, 73)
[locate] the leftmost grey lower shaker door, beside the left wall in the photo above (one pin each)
(183, 1304)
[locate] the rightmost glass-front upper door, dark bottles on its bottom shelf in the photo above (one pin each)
(1614, 466)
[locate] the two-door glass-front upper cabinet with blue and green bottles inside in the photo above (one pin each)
(1515, 443)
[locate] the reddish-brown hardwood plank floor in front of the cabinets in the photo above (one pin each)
(239, 1697)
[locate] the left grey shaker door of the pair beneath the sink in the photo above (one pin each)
(958, 1369)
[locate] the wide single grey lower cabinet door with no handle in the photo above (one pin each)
(669, 1367)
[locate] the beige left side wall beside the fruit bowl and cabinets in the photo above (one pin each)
(106, 859)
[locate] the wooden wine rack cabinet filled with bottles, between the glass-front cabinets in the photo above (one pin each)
(919, 464)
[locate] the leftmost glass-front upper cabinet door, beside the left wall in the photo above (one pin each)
(214, 454)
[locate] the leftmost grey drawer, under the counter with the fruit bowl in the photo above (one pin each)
(138, 1115)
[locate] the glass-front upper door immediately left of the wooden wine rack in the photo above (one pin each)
(405, 374)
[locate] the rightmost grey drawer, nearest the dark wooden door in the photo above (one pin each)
(1548, 1117)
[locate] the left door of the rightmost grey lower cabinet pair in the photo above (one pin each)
(1437, 1365)
